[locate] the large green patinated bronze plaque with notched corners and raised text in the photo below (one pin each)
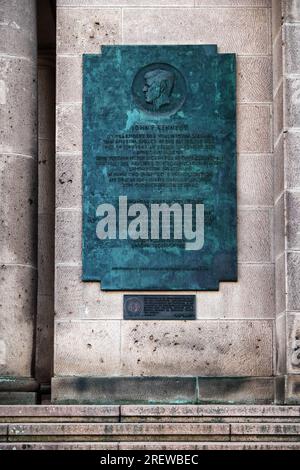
(159, 168)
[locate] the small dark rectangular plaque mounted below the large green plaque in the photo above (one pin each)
(159, 307)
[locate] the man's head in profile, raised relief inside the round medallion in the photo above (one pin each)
(158, 87)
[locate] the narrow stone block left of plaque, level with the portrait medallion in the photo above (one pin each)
(69, 71)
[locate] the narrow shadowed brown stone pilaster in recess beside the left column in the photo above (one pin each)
(46, 207)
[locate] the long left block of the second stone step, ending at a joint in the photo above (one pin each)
(117, 431)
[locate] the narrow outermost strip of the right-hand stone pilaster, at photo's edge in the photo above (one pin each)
(291, 124)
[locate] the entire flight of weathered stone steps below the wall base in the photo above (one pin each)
(150, 427)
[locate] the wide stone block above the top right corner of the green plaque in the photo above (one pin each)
(244, 31)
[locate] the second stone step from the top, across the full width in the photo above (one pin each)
(150, 431)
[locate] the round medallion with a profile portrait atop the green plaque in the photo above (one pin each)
(159, 89)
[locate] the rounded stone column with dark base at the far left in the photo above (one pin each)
(18, 180)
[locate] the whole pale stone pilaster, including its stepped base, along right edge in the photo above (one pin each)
(286, 96)
